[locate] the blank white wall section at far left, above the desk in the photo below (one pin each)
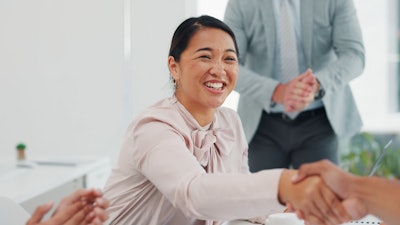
(61, 70)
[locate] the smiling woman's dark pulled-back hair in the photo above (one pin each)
(189, 27)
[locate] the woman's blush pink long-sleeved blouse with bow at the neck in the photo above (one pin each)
(172, 171)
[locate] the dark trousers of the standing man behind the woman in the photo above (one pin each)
(280, 142)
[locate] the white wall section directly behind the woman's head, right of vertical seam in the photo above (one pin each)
(153, 24)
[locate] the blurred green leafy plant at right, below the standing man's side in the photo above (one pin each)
(362, 152)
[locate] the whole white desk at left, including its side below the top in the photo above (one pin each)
(49, 180)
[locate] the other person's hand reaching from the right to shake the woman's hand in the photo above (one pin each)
(337, 180)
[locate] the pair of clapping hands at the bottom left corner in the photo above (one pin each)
(81, 207)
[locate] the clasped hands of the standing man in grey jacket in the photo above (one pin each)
(298, 93)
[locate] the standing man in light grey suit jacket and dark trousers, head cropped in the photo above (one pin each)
(288, 123)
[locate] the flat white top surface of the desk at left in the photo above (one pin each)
(21, 183)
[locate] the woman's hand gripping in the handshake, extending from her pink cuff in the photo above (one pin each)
(312, 200)
